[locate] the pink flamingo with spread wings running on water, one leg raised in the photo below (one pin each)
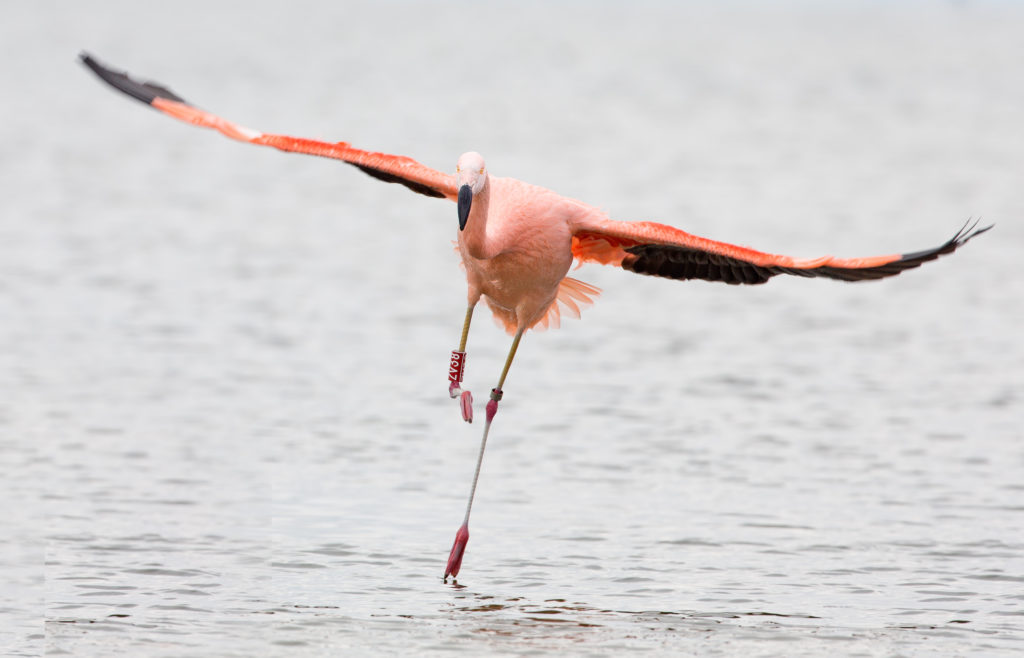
(519, 241)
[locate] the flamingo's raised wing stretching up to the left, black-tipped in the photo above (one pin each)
(393, 169)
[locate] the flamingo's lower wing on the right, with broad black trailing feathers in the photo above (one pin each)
(658, 250)
